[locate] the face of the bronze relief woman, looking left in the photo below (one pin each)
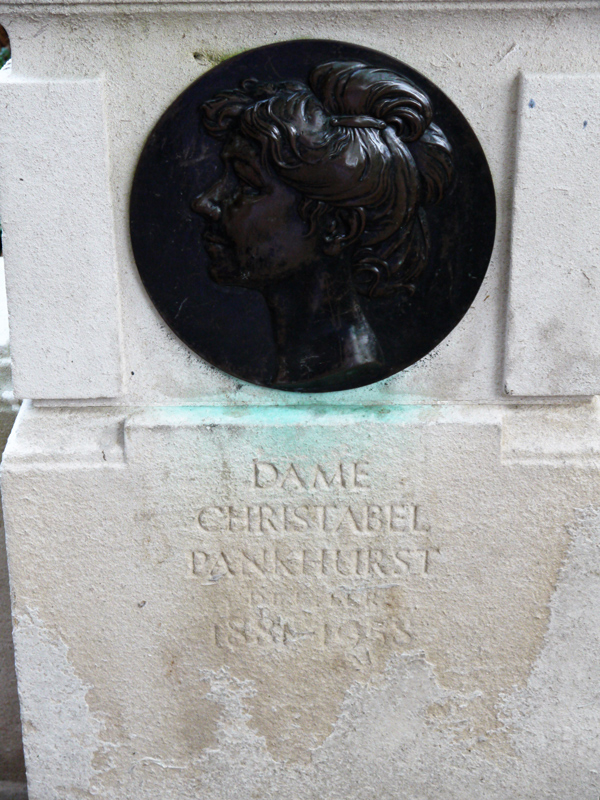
(253, 233)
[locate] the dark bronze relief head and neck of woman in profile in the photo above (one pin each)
(321, 202)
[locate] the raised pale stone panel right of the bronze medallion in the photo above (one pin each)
(553, 341)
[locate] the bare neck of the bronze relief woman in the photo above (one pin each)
(320, 330)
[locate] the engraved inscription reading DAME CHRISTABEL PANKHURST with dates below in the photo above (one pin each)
(316, 558)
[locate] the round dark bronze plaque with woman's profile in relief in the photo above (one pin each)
(312, 216)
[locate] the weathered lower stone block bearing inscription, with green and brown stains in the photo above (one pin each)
(261, 602)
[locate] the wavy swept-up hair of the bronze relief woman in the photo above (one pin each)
(359, 146)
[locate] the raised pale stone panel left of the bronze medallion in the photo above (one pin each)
(58, 239)
